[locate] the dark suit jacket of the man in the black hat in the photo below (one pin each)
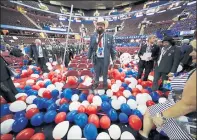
(170, 61)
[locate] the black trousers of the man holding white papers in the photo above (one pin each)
(148, 66)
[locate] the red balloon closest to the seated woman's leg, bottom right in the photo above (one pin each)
(135, 122)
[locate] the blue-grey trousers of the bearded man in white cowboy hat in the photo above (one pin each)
(100, 70)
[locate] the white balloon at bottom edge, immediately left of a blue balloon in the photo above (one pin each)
(75, 132)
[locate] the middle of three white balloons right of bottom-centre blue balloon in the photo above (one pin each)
(114, 131)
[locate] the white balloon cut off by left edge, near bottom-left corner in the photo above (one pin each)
(6, 126)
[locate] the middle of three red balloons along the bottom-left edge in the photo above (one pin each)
(25, 134)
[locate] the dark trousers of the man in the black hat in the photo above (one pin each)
(157, 76)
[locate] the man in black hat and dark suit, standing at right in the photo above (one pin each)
(167, 63)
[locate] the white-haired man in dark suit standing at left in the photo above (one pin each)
(38, 52)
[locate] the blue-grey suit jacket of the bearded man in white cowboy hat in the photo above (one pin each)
(109, 48)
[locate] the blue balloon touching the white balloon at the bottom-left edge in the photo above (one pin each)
(19, 124)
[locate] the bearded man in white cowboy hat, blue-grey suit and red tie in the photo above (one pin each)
(100, 49)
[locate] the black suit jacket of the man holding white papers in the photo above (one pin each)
(155, 52)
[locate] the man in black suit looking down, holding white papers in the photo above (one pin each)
(148, 64)
